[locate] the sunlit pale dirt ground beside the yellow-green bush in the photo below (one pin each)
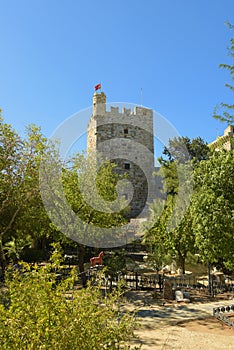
(165, 325)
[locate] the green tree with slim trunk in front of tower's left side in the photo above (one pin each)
(80, 199)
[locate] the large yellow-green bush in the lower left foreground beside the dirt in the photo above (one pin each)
(36, 313)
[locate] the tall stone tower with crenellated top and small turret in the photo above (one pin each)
(126, 138)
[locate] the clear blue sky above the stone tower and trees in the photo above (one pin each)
(54, 52)
